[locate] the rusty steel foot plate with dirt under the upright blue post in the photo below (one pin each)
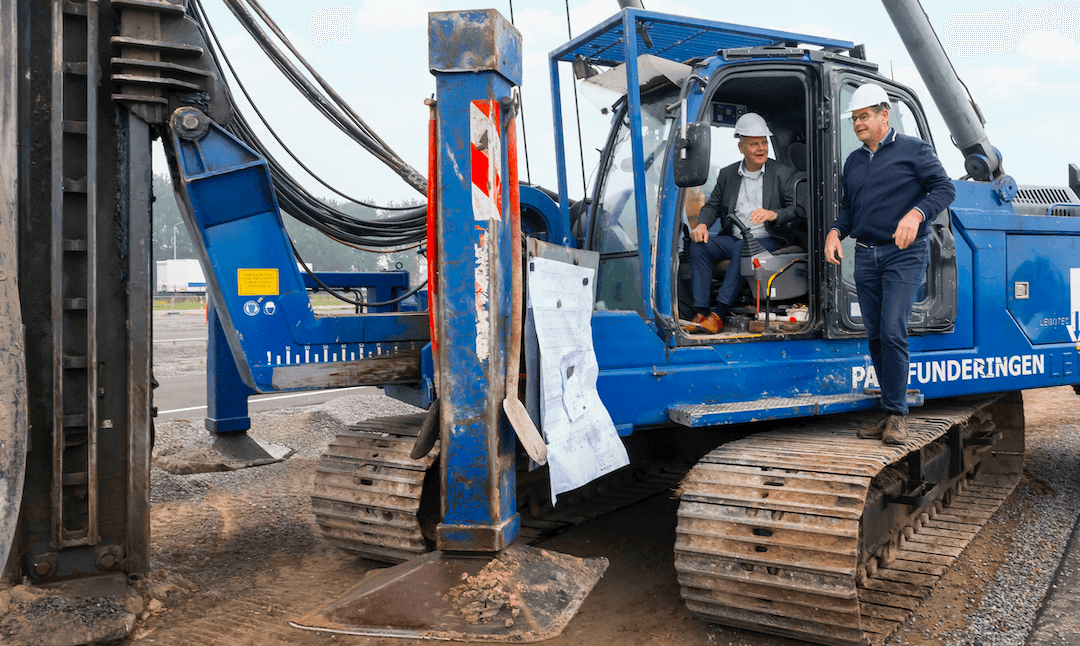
(523, 595)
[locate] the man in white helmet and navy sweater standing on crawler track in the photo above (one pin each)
(893, 185)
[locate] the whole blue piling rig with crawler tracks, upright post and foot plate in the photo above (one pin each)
(1002, 313)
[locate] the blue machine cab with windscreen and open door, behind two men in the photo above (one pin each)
(792, 293)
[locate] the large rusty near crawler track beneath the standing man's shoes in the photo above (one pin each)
(799, 532)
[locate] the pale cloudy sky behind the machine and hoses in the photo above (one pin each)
(1021, 63)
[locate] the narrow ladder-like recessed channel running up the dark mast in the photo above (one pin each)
(75, 358)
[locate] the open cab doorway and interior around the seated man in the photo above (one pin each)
(780, 286)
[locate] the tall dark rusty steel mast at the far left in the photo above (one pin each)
(87, 479)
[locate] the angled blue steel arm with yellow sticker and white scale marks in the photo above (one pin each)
(277, 341)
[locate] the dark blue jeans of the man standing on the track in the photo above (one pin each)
(888, 279)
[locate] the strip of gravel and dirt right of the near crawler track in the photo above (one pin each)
(1010, 566)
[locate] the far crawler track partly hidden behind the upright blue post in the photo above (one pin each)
(370, 495)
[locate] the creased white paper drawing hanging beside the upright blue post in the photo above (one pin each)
(583, 443)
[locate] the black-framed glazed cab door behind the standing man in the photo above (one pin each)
(935, 309)
